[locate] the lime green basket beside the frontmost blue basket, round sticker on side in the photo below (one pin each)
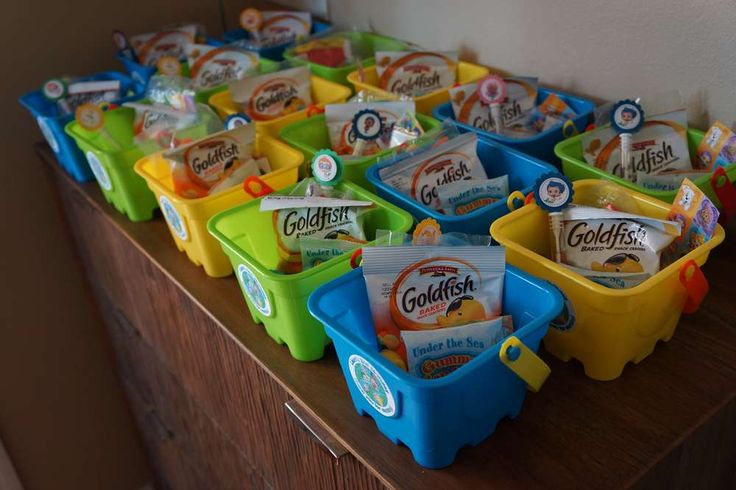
(279, 301)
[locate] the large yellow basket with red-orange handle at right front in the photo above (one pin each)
(603, 328)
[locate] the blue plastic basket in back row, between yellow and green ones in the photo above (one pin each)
(542, 145)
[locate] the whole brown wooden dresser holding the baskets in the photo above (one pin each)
(220, 405)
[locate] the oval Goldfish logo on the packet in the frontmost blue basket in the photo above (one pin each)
(435, 293)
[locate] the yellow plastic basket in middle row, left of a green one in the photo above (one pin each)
(323, 92)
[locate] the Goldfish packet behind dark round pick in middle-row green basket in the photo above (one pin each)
(339, 119)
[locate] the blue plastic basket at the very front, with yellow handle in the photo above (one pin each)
(434, 418)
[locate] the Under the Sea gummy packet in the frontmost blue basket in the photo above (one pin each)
(433, 354)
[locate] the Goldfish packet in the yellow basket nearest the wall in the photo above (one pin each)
(415, 72)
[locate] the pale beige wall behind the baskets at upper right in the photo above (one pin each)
(607, 49)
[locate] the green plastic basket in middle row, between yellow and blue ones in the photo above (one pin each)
(310, 135)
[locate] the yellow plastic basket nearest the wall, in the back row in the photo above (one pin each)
(466, 73)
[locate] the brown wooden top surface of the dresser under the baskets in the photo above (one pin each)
(575, 432)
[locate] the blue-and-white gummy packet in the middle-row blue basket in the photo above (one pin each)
(465, 196)
